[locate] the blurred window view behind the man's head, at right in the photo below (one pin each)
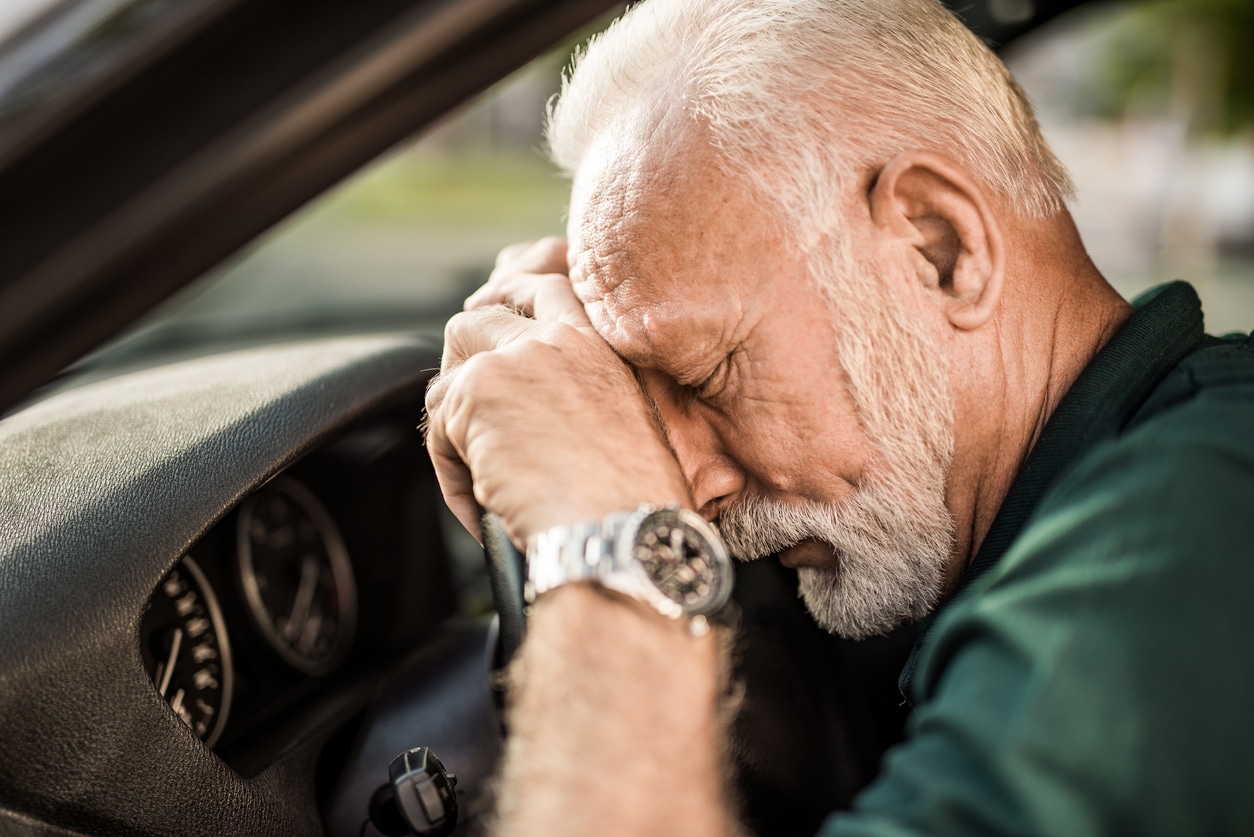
(1149, 105)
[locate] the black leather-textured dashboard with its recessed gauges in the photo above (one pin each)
(181, 648)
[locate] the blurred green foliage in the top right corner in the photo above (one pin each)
(1192, 58)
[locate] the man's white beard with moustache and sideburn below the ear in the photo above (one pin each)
(893, 536)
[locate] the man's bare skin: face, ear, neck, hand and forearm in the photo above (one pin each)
(675, 272)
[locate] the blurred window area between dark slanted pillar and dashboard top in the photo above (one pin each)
(397, 248)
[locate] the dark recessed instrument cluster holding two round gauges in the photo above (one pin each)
(327, 573)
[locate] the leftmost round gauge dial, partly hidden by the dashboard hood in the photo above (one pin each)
(186, 651)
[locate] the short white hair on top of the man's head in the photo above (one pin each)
(807, 100)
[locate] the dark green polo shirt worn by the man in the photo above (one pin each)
(1095, 672)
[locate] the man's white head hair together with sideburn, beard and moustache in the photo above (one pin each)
(804, 104)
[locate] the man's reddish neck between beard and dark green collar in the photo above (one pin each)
(1058, 312)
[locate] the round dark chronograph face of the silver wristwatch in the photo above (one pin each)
(685, 564)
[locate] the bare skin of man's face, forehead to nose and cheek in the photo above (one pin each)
(717, 316)
